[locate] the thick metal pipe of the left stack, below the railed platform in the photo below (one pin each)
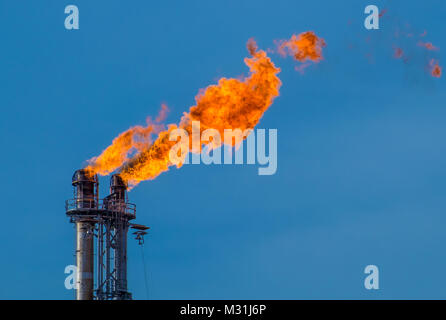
(84, 260)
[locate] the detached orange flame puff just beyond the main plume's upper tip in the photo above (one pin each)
(304, 46)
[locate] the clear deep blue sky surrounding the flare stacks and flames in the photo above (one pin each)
(361, 149)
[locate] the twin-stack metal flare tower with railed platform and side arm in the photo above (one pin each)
(101, 229)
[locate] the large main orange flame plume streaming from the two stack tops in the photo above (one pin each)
(230, 104)
